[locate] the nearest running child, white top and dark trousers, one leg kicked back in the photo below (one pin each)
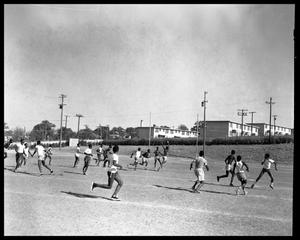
(113, 175)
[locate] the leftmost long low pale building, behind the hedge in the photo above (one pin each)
(163, 132)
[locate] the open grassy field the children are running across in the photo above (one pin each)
(152, 203)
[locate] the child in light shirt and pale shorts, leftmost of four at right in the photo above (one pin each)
(200, 162)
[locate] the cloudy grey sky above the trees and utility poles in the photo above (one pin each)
(120, 64)
